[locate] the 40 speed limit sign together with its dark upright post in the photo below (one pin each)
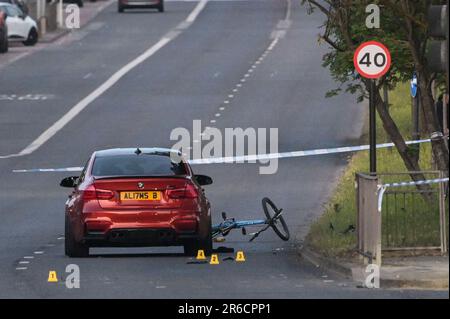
(372, 60)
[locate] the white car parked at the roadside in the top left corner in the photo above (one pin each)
(21, 27)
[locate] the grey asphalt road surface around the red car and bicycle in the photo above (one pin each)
(201, 71)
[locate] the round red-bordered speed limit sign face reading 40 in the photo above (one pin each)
(372, 60)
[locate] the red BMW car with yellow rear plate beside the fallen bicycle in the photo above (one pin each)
(137, 197)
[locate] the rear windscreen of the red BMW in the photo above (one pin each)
(137, 165)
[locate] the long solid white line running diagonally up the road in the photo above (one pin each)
(80, 106)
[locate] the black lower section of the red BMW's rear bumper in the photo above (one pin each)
(138, 237)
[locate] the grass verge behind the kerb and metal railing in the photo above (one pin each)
(333, 233)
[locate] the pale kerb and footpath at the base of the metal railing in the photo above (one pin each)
(418, 272)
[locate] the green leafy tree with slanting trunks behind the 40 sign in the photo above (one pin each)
(404, 30)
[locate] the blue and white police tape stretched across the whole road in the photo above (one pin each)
(248, 158)
